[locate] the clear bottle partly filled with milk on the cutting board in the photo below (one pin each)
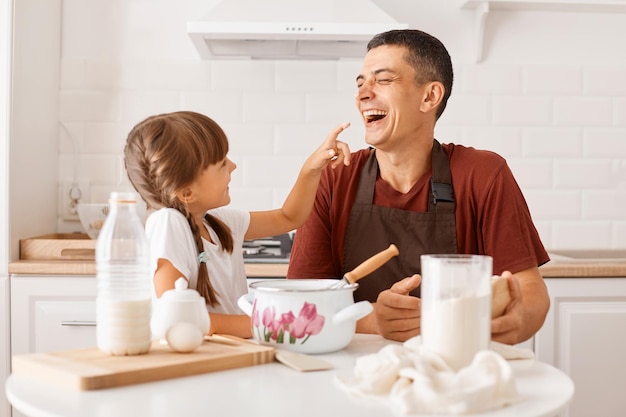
(123, 303)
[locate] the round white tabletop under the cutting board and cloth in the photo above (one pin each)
(267, 390)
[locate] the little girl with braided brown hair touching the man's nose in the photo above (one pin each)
(178, 163)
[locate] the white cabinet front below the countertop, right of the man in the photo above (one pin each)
(585, 336)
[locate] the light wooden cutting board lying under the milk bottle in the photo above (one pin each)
(90, 369)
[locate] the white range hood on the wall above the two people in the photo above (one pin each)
(289, 29)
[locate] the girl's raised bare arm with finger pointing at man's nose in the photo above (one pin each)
(299, 202)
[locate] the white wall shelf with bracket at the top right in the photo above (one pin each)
(482, 8)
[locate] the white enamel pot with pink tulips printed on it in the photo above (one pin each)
(303, 315)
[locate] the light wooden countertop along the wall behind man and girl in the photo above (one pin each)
(604, 264)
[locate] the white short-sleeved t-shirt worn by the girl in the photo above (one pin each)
(170, 238)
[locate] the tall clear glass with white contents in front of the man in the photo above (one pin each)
(456, 306)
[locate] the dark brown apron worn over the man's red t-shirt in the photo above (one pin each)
(373, 228)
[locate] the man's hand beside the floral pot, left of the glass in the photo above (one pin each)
(398, 314)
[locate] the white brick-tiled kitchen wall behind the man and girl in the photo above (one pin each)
(550, 96)
